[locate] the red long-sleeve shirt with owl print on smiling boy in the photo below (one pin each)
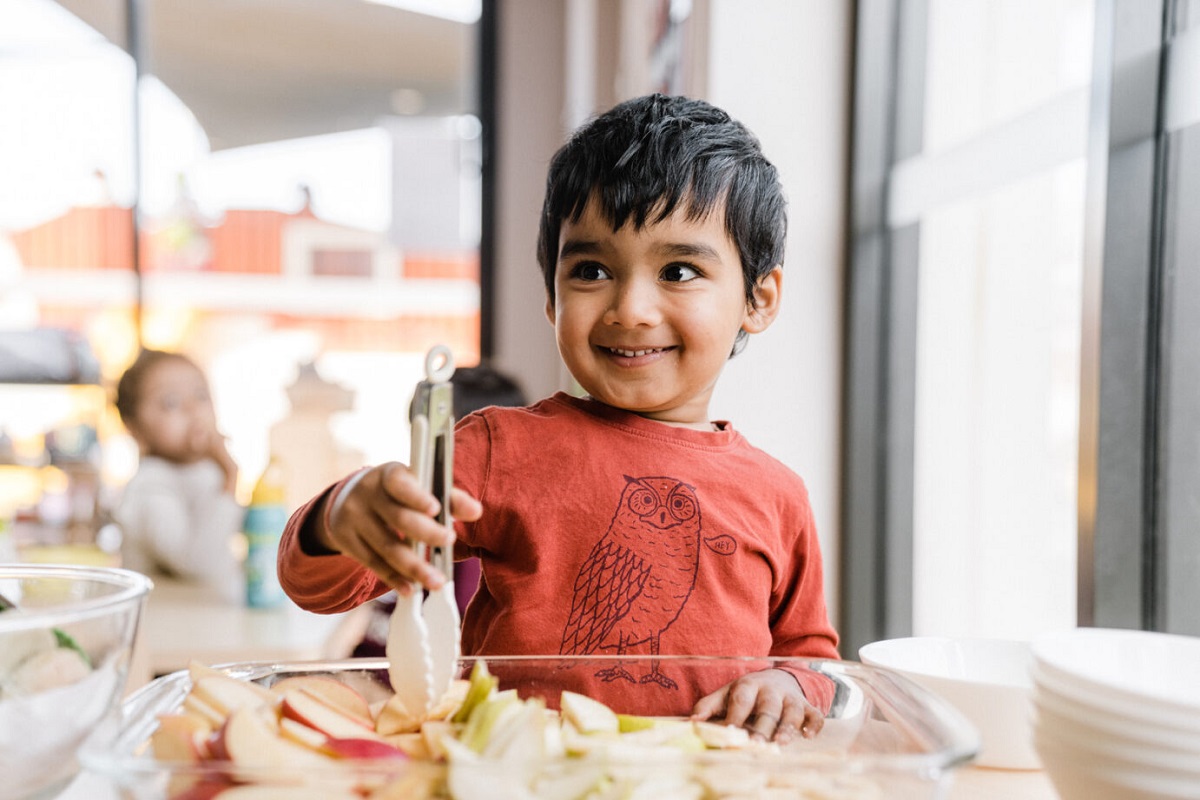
(608, 533)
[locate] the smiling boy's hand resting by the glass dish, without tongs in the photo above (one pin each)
(769, 703)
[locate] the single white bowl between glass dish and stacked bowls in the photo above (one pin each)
(988, 681)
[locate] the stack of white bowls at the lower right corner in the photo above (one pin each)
(1118, 714)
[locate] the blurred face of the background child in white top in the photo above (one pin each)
(175, 419)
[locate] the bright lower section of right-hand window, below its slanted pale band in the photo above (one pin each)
(998, 399)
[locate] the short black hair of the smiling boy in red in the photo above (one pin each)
(649, 157)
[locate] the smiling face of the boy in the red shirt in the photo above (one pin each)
(646, 320)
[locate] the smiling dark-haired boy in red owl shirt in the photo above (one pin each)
(627, 522)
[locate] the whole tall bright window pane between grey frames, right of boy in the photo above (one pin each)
(999, 323)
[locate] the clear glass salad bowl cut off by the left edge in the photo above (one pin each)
(64, 657)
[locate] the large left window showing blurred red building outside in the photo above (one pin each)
(305, 181)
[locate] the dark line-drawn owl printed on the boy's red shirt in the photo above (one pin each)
(639, 576)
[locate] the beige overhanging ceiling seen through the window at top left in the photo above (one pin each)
(256, 71)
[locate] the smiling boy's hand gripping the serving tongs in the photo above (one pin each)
(377, 518)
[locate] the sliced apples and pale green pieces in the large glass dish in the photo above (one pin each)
(478, 743)
